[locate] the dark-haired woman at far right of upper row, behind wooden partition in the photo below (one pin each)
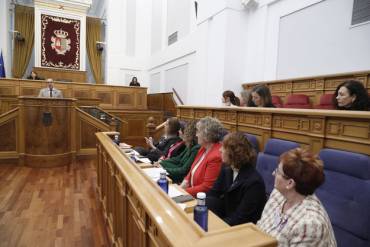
(351, 95)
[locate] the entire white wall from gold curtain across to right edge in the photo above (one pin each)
(228, 45)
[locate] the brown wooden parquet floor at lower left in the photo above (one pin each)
(50, 206)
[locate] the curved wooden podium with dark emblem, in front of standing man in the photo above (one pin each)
(46, 131)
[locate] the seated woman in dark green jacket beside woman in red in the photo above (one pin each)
(178, 166)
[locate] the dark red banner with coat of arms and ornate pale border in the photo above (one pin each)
(60, 42)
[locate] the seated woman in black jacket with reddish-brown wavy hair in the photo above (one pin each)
(238, 195)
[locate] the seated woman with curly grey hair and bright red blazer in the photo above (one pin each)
(207, 164)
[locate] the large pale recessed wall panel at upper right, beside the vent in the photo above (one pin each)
(322, 45)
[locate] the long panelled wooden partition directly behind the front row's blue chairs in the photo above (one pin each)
(344, 130)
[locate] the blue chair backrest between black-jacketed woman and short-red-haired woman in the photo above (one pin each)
(268, 160)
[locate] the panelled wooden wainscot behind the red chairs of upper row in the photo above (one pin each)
(313, 86)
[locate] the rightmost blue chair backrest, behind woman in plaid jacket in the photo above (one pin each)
(346, 195)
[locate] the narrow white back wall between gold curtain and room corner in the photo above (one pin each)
(128, 50)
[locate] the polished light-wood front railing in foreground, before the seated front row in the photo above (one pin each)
(139, 214)
